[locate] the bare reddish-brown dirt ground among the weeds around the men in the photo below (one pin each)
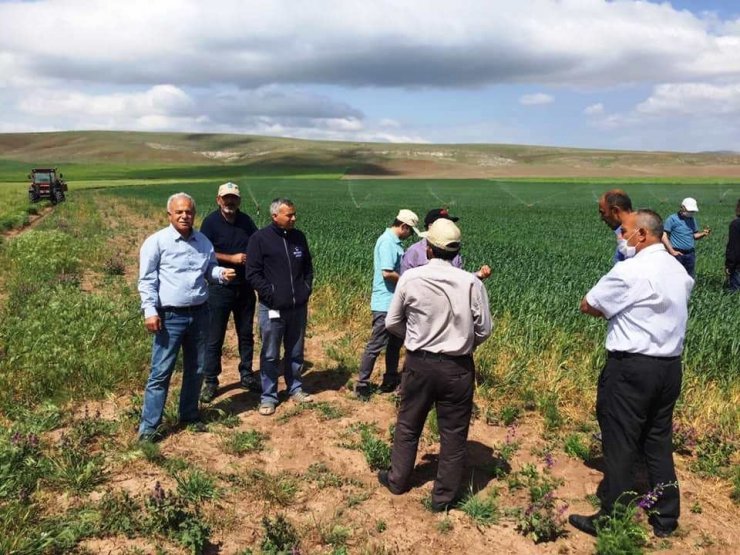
(349, 505)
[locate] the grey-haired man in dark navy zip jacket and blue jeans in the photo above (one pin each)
(279, 269)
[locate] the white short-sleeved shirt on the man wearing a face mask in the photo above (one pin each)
(645, 301)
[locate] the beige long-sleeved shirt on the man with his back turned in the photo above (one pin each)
(440, 309)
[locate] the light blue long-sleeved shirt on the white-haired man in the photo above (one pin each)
(173, 271)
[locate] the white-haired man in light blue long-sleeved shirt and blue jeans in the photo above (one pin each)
(174, 264)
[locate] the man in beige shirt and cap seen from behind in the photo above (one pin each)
(443, 314)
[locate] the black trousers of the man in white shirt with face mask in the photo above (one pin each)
(634, 405)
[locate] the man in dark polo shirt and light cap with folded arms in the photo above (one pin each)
(229, 230)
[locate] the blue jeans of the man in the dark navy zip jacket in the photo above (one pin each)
(288, 330)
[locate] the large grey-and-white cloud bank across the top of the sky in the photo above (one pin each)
(355, 42)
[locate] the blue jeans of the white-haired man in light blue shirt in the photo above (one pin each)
(186, 328)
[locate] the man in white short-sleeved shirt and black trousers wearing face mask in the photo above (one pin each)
(645, 301)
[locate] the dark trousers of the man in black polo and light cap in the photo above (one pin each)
(224, 300)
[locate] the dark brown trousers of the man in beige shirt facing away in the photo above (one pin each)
(429, 381)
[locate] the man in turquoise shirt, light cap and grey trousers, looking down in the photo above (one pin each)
(386, 271)
